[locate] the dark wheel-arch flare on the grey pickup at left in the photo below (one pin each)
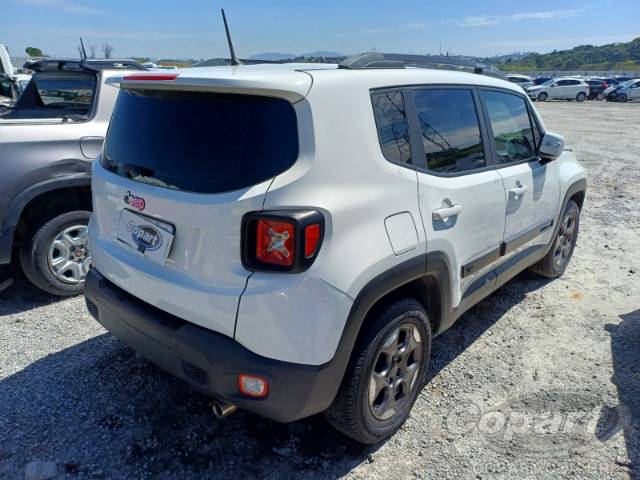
(20, 201)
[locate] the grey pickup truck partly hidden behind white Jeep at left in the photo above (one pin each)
(47, 142)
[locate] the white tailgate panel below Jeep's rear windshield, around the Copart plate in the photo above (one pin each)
(203, 277)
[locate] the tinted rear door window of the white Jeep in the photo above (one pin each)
(450, 130)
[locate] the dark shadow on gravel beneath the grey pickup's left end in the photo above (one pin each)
(20, 295)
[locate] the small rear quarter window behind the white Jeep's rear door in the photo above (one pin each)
(391, 122)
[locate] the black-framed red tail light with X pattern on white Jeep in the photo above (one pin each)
(285, 241)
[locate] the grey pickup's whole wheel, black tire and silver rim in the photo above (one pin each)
(54, 256)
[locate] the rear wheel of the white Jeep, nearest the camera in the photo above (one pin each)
(386, 373)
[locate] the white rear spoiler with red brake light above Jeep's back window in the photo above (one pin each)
(290, 85)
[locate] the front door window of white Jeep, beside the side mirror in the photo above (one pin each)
(513, 136)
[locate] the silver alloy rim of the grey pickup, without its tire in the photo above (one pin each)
(69, 259)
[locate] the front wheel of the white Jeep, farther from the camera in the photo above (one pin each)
(555, 262)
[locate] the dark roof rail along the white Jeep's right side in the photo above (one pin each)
(402, 60)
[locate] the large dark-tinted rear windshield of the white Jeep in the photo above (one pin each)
(200, 142)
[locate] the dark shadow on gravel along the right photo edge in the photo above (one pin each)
(625, 352)
